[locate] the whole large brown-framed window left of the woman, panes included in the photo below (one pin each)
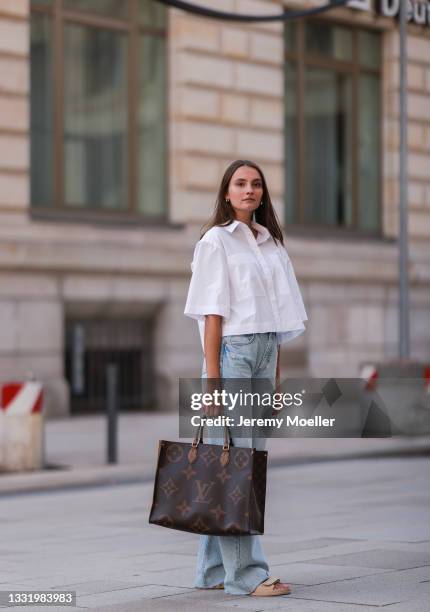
(98, 107)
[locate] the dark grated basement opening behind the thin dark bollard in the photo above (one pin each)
(91, 344)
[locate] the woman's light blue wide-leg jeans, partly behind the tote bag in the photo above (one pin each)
(238, 561)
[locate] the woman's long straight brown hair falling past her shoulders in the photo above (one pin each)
(224, 212)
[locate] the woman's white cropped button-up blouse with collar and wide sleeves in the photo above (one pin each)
(248, 281)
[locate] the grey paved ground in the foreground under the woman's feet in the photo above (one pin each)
(349, 536)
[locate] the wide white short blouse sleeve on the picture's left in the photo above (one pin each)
(208, 292)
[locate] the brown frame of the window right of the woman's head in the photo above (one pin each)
(301, 59)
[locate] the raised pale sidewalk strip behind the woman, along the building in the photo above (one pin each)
(75, 451)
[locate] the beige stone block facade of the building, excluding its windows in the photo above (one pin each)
(226, 100)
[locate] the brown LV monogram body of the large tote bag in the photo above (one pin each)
(206, 496)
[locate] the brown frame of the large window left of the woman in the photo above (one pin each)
(130, 26)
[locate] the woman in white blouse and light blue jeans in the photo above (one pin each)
(245, 297)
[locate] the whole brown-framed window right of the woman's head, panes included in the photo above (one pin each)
(332, 127)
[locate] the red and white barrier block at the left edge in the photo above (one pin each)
(21, 426)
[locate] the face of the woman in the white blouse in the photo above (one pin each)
(245, 190)
